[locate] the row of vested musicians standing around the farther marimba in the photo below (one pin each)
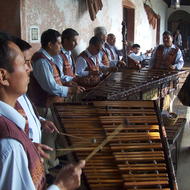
(56, 75)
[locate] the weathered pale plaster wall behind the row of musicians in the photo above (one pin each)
(61, 14)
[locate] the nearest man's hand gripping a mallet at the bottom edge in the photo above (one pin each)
(69, 178)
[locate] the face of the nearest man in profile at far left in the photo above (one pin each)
(18, 79)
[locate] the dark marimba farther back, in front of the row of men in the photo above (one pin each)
(130, 84)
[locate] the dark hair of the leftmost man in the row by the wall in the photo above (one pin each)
(49, 35)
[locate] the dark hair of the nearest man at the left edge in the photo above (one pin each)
(5, 54)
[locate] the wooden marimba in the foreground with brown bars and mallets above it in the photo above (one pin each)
(137, 158)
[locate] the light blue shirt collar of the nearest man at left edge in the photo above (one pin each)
(11, 114)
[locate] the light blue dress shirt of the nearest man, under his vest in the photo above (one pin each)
(14, 171)
